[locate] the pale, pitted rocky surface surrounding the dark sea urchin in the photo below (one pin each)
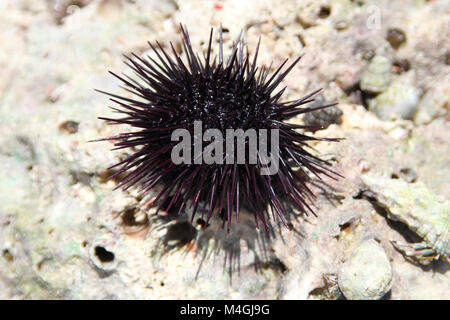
(64, 232)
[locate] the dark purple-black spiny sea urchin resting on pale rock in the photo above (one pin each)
(223, 94)
